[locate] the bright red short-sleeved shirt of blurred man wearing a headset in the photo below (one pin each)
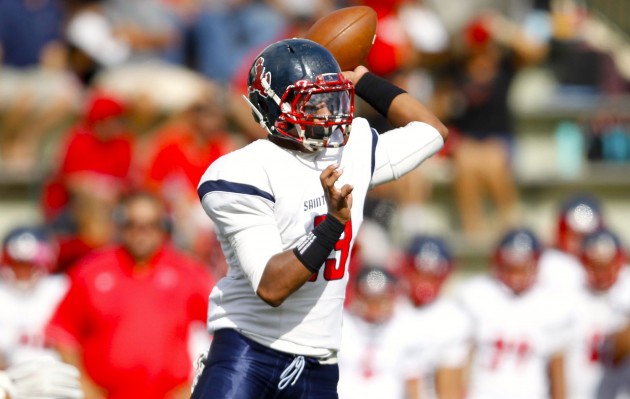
(131, 325)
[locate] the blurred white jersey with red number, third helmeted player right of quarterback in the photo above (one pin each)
(513, 338)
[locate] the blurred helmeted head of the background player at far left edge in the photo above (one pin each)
(27, 252)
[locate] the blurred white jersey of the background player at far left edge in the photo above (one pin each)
(24, 314)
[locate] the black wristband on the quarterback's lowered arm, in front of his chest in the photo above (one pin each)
(315, 248)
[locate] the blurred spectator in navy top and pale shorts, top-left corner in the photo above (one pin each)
(35, 84)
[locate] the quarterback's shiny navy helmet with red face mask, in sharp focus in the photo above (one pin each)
(297, 93)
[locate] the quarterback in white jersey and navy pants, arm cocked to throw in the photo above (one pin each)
(287, 210)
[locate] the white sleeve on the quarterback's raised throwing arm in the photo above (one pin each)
(401, 150)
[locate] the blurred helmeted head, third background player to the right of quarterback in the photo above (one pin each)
(515, 259)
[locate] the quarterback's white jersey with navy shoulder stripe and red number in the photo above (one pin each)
(265, 199)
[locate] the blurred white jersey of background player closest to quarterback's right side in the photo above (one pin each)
(377, 359)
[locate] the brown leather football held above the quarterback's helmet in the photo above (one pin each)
(348, 33)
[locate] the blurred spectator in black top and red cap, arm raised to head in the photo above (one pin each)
(494, 48)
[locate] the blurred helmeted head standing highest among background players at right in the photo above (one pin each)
(579, 215)
